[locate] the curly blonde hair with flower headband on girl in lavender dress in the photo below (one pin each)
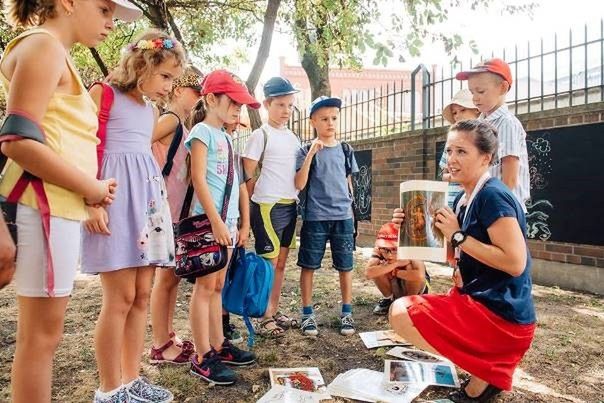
(139, 59)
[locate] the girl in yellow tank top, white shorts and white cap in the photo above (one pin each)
(45, 92)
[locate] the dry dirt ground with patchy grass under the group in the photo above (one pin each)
(566, 362)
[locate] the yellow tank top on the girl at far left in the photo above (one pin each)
(70, 126)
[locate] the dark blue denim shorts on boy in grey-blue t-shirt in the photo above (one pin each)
(313, 239)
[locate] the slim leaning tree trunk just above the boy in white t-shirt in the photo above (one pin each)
(270, 16)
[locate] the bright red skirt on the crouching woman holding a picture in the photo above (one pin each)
(470, 335)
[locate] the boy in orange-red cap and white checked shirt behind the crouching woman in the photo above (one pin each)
(489, 82)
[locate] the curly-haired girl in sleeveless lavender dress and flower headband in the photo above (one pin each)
(124, 241)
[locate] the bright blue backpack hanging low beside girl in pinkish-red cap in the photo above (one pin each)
(247, 287)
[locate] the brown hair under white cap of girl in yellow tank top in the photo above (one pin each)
(29, 13)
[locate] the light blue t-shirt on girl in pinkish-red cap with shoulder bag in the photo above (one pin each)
(217, 142)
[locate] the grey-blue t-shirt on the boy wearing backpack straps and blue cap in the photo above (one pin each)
(327, 195)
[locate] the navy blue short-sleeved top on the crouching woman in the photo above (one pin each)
(507, 296)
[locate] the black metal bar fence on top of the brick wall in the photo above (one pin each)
(552, 73)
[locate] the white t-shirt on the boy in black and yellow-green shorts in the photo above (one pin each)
(276, 179)
